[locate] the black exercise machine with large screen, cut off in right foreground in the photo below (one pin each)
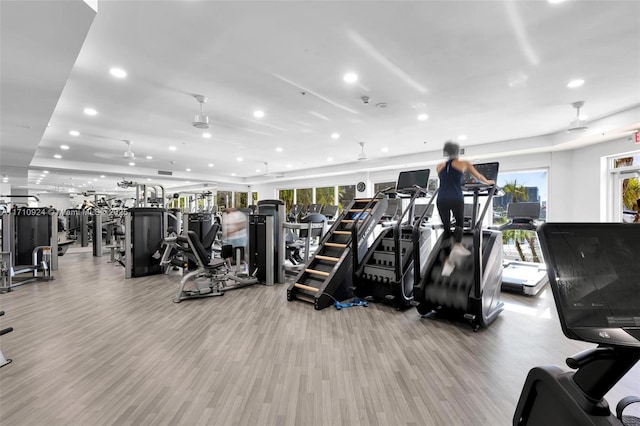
(593, 273)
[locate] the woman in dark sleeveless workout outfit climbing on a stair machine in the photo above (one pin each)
(451, 200)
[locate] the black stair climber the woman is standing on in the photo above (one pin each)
(471, 292)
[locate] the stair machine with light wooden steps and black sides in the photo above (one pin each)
(327, 276)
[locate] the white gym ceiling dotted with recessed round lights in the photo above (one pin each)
(492, 70)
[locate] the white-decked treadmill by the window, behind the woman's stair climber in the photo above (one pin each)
(519, 276)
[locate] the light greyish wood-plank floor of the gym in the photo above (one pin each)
(92, 348)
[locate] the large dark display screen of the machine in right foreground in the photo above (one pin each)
(595, 278)
